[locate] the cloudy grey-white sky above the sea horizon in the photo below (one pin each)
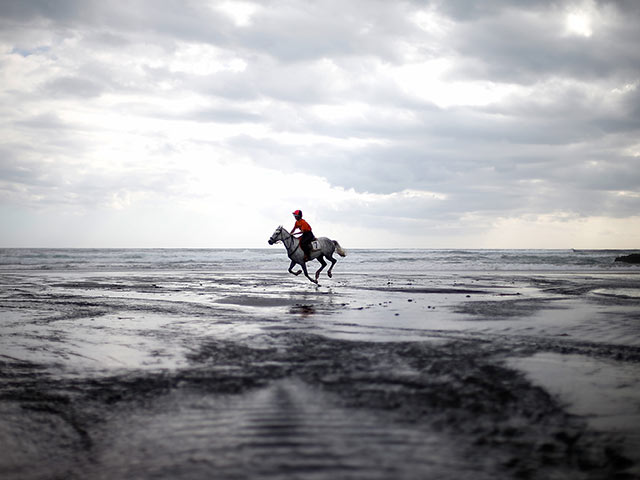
(390, 124)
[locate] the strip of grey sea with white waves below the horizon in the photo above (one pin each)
(275, 259)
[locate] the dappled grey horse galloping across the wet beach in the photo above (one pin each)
(295, 253)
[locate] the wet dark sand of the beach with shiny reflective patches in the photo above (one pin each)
(189, 375)
